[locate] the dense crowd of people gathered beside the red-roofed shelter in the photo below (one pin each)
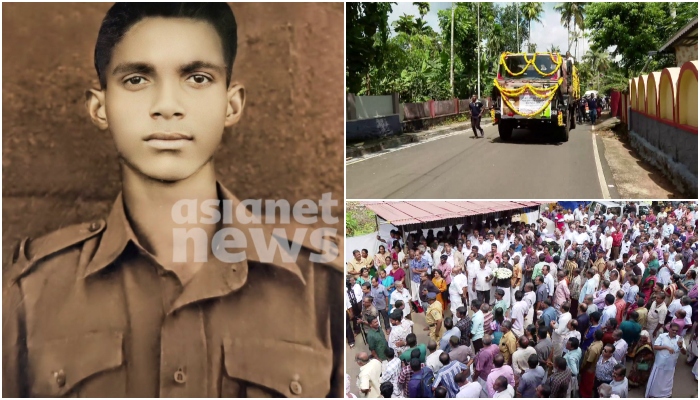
(599, 305)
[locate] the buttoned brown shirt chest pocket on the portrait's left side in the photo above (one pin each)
(77, 366)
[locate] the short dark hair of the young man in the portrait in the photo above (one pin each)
(122, 16)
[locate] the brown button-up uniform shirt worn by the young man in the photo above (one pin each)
(87, 312)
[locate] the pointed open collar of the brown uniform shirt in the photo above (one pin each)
(224, 278)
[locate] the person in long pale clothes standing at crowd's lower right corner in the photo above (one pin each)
(667, 347)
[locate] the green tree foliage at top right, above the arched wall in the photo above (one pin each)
(635, 28)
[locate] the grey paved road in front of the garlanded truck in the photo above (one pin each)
(531, 166)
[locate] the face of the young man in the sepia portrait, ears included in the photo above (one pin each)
(166, 102)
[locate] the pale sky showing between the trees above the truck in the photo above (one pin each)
(549, 32)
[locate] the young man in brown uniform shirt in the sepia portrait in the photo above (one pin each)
(122, 307)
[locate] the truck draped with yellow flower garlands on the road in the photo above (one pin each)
(535, 91)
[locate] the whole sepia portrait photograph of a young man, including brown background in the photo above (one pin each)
(173, 199)
